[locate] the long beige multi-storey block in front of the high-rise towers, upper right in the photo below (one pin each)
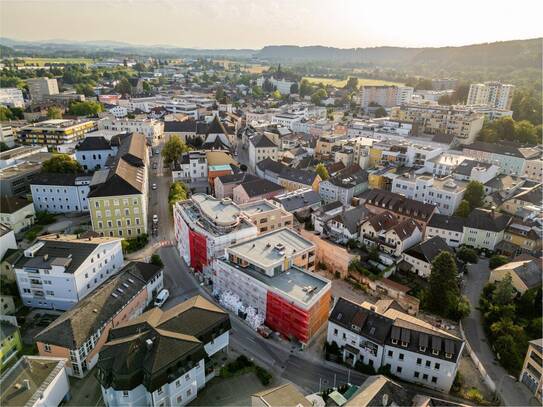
(459, 123)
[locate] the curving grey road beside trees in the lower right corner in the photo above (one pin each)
(510, 391)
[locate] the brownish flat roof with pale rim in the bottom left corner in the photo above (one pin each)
(38, 371)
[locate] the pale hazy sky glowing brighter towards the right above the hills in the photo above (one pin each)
(255, 23)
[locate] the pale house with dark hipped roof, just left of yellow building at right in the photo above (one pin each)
(485, 228)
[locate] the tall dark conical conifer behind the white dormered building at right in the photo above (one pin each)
(443, 292)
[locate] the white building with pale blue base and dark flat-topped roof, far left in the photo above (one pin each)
(60, 270)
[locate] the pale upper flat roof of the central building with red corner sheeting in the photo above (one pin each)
(263, 250)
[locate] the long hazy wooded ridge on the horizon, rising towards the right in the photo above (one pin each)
(519, 53)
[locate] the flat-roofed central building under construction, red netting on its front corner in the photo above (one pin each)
(272, 273)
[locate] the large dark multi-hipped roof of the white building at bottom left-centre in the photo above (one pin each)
(159, 343)
